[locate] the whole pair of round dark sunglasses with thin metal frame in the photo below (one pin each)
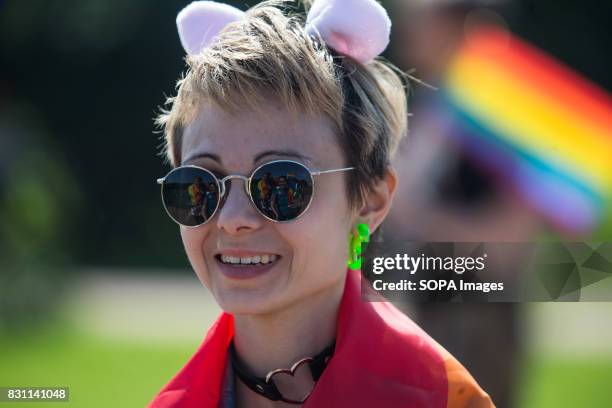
(280, 190)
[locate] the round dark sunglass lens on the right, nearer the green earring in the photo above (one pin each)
(282, 190)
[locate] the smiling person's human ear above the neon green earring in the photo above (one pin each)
(378, 202)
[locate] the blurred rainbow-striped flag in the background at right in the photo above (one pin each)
(527, 116)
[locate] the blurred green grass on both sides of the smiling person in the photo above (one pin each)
(103, 373)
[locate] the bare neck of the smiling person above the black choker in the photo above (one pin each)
(279, 339)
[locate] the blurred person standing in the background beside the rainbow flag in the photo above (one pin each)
(445, 196)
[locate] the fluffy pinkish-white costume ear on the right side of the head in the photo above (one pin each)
(357, 28)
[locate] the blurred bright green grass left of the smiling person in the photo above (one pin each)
(100, 373)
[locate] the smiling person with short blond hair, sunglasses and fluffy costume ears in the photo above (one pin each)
(280, 91)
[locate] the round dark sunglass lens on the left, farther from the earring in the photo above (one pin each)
(190, 195)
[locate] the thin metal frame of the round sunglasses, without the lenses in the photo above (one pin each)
(247, 188)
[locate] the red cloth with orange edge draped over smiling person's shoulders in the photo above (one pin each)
(382, 359)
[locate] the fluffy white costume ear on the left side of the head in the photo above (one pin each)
(200, 22)
